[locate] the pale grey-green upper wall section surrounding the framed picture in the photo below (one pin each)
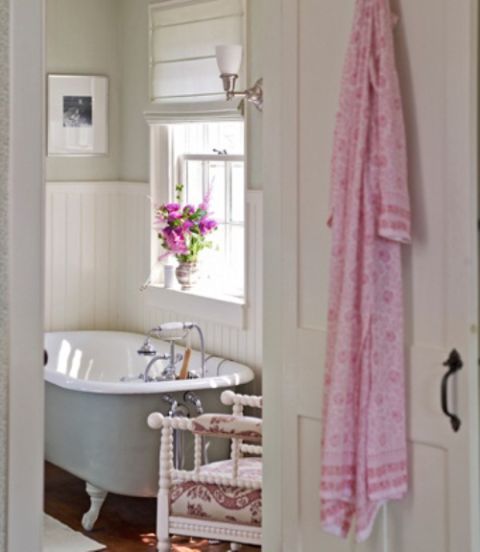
(82, 38)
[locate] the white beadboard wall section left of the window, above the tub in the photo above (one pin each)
(97, 245)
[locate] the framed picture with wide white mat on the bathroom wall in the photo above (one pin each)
(77, 115)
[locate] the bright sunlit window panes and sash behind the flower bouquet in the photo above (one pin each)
(208, 158)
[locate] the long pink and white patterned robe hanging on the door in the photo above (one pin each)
(364, 454)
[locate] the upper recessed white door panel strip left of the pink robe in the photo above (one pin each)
(323, 28)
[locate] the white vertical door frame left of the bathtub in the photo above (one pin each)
(26, 269)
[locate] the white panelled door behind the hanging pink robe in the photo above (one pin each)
(437, 55)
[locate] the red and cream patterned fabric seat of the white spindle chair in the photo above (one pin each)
(221, 502)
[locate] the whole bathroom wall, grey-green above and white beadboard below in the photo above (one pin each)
(98, 227)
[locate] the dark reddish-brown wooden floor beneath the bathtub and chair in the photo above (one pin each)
(125, 524)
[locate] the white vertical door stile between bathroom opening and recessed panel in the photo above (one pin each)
(277, 117)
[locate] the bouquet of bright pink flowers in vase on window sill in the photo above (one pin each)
(183, 229)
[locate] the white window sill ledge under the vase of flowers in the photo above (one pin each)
(199, 303)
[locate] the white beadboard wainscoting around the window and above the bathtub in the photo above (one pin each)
(97, 258)
